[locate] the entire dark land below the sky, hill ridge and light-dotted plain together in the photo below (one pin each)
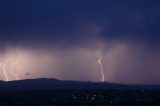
(53, 92)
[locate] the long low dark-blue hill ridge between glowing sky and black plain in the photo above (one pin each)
(51, 84)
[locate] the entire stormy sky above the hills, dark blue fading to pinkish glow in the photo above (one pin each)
(64, 39)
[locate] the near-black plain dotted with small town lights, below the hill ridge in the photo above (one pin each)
(108, 97)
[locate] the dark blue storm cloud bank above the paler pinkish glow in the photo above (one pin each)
(69, 21)
